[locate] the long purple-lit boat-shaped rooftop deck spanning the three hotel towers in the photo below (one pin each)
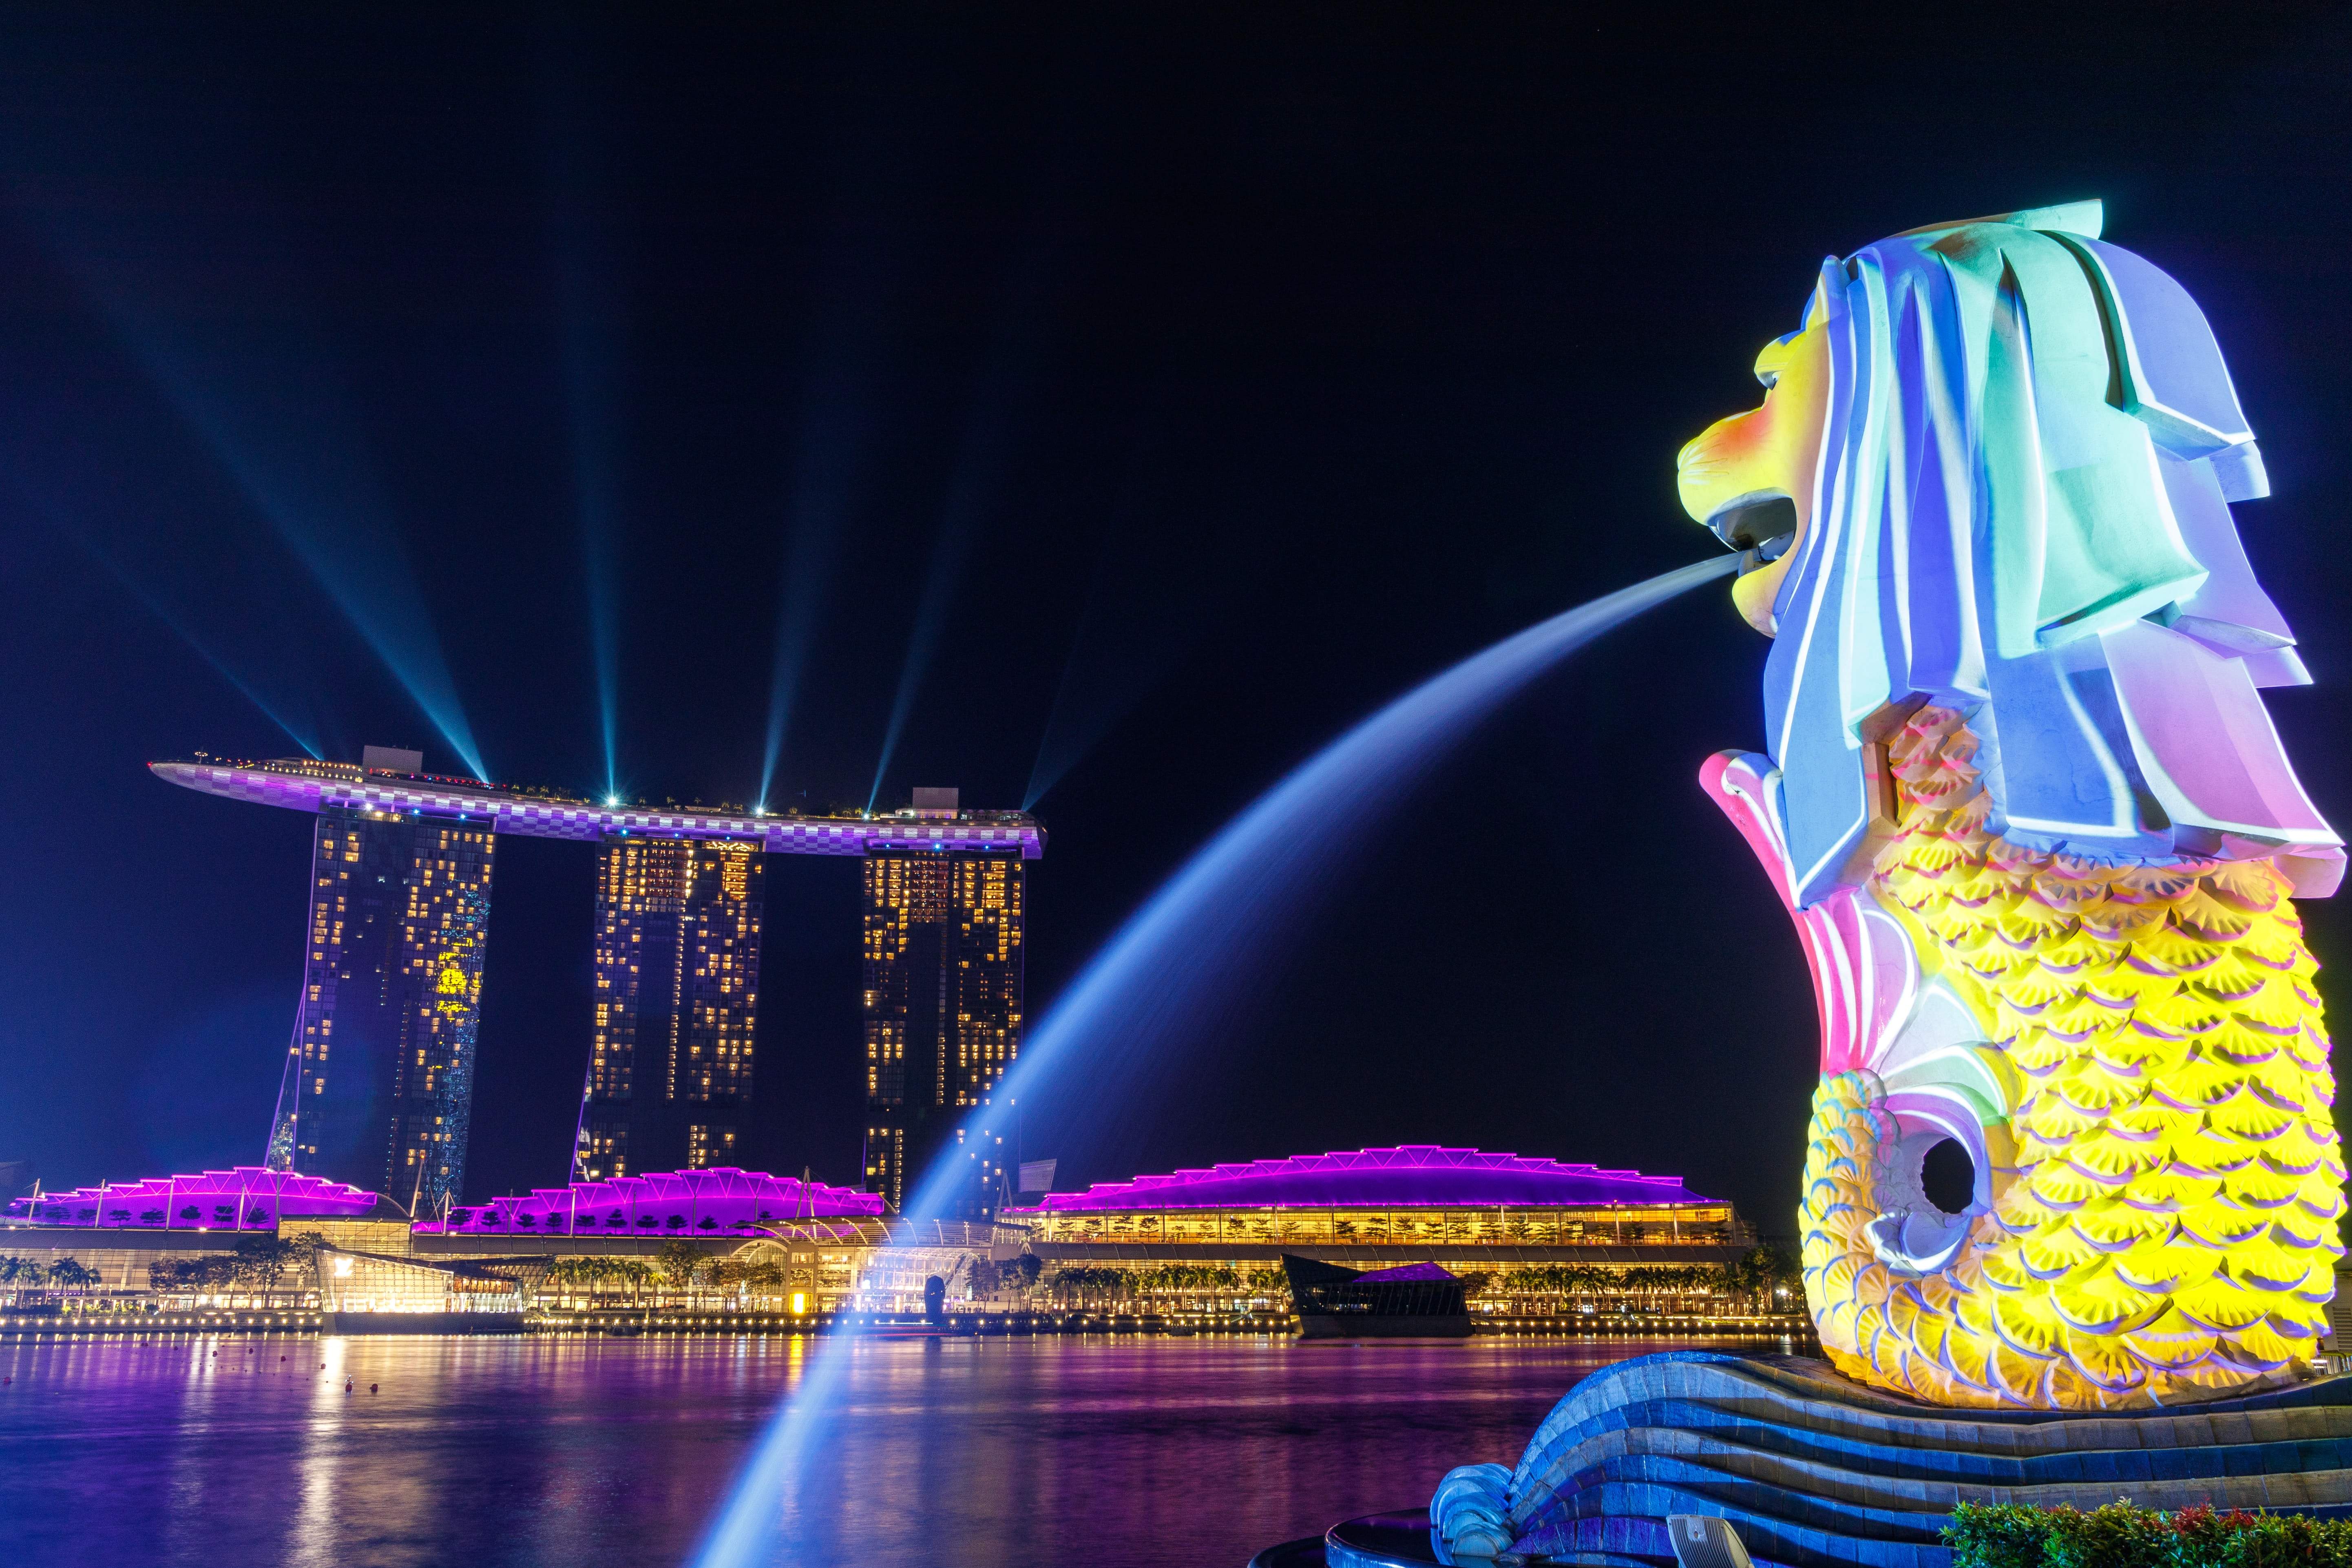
(300, 784)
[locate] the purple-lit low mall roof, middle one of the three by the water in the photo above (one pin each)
(669, 1202)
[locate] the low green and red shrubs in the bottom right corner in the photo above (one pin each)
(2125, 1536)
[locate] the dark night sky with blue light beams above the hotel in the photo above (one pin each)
(1125, 398)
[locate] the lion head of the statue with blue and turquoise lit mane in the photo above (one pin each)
(1993, 471)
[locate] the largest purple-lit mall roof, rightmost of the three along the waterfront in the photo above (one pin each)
(1410, 1177)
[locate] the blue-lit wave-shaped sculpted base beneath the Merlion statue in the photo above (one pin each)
(1815, 1468)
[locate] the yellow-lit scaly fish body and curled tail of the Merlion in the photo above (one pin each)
(2170, 1224)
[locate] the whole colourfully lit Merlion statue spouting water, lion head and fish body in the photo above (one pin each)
(2033, 824)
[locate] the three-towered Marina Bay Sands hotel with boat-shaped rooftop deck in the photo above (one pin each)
(380, 1076)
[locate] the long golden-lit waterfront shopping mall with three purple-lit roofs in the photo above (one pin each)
(1535, 1235)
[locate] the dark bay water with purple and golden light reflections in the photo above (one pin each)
(613, 1454)
